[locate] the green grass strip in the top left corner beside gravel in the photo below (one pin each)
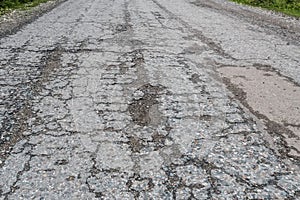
(9, 5)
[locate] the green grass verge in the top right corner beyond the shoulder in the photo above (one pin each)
(289, 7)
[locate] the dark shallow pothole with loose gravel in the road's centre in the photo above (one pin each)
(145, 98)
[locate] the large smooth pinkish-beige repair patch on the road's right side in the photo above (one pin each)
(272, 98)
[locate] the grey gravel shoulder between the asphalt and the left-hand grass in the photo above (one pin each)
(10, 23)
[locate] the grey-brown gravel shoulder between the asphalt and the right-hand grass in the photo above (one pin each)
(274, 23)
